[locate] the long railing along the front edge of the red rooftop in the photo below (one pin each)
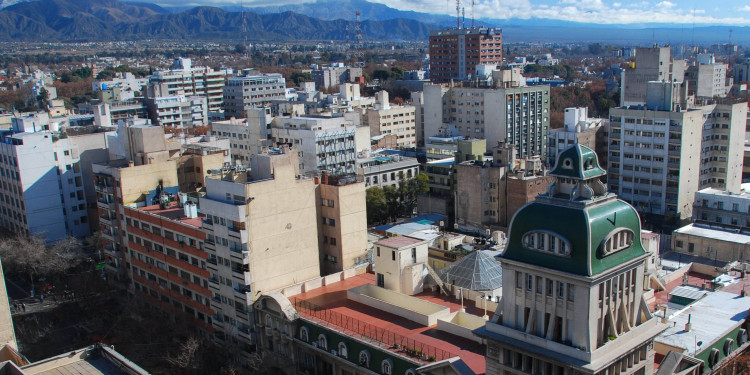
(393, 341)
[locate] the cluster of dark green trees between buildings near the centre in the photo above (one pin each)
(391, 202)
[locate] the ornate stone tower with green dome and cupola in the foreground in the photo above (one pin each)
(573, 276)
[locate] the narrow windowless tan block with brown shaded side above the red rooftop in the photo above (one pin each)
(344, 244)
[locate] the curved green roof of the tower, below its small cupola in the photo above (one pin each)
(585, 227)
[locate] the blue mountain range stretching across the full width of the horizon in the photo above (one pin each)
(104, 20)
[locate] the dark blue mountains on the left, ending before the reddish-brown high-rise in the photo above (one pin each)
(95, 20)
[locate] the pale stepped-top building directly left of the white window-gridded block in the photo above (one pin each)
(247, 135)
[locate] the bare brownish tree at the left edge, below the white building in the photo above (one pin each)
(30, 255)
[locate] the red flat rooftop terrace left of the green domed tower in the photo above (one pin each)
(332, 300)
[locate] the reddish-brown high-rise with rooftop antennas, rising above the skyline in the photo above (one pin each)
(455, 53)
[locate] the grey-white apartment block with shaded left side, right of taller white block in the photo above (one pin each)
(252, 90)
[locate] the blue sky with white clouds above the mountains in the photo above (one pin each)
(686, 12)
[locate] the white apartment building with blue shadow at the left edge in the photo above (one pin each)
(45, 181)
